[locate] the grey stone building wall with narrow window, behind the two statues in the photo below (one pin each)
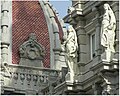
(86, 18)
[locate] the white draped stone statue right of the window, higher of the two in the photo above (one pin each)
(108, 30)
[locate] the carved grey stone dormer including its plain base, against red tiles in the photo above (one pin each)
(31, 52)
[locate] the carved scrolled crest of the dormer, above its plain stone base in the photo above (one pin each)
(31, 49)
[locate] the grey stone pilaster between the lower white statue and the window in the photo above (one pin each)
(81, 41)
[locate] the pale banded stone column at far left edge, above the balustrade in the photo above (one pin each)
(4, 27)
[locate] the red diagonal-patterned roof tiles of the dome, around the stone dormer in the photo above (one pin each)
(28, 17)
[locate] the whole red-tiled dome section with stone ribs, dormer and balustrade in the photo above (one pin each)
(24, 60)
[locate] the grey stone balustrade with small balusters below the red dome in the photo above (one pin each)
(24, 78)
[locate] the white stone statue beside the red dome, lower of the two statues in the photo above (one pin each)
(71, 47)
